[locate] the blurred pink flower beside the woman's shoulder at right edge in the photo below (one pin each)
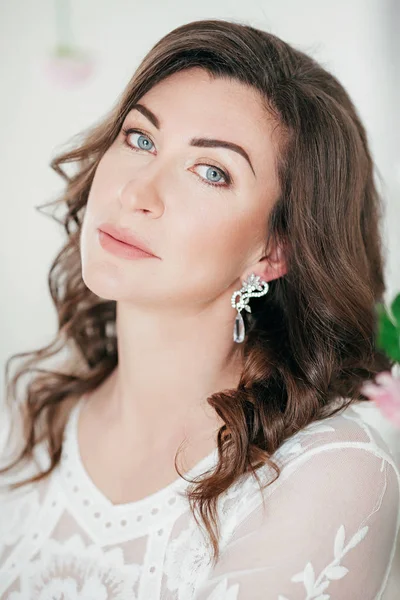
(386, 395)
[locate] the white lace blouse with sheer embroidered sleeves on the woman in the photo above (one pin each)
(328, 530)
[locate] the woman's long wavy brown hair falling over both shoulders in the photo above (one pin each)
(312, 339)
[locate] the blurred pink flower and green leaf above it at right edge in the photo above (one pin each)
(385, 391)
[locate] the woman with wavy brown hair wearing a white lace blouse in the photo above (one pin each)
(232, 324)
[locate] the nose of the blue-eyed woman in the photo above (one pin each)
(142, 192)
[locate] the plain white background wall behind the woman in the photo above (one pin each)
(357, 41)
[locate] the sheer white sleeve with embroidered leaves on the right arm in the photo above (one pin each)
(328, 532)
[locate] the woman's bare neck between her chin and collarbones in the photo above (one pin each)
(168, 364)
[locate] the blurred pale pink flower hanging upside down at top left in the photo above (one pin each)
(68, 66)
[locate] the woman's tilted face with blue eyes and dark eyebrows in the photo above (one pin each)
(202, 210)
